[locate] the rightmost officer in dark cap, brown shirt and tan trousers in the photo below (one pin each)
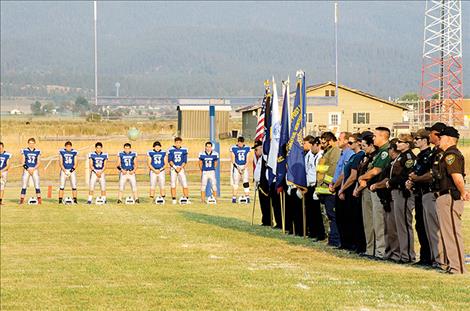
(450, 200)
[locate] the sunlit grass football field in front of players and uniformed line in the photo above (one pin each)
(195, 257)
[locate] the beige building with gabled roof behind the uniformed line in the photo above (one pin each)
(356, 110)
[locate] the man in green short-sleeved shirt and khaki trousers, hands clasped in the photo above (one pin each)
(380, 161)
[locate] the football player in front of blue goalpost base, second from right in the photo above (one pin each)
(208, 161)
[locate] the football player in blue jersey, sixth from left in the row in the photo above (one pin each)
(157, 163)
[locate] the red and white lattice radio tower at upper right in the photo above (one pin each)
(441, 94)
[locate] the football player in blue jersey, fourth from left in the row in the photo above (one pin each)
(97, 164)
